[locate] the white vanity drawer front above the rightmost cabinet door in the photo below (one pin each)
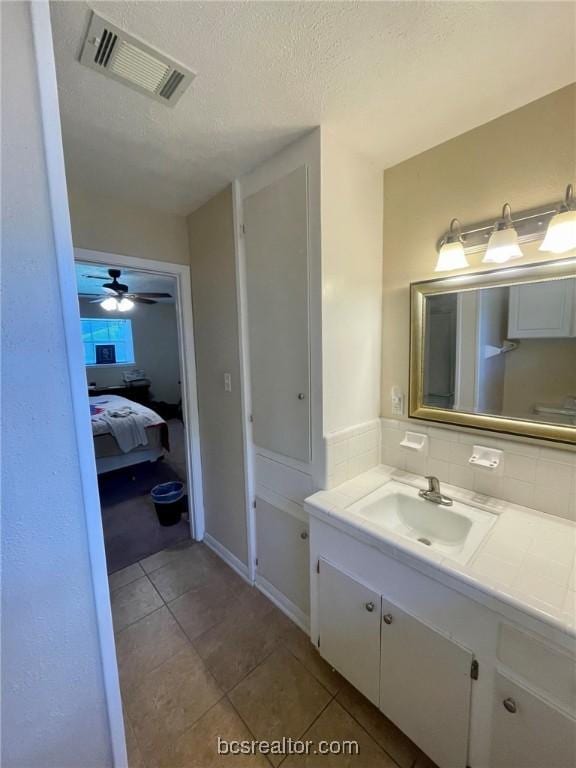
(542, 665)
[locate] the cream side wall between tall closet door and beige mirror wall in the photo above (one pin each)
(351, 285)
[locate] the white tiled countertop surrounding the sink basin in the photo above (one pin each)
(526, 563)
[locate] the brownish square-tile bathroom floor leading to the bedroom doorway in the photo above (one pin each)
(202, 654)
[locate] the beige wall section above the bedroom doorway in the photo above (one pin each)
(106, 224)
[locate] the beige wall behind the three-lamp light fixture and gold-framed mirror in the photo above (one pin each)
(526, 158)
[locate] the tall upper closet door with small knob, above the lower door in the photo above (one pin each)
(276, 239)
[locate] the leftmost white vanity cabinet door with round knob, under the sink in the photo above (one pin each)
(349, 628)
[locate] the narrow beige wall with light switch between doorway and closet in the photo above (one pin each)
(211, 232)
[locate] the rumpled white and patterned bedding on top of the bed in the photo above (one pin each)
(129, 430)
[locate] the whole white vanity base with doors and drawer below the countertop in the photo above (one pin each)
(473, 687)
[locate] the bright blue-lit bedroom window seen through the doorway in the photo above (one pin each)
(107, 341)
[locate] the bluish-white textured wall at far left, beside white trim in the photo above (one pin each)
(53, 700)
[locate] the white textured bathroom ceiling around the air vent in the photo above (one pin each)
(391, 78)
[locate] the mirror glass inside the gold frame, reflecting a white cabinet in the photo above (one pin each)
(504, 351)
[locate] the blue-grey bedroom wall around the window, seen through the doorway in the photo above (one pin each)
(155, 337)
